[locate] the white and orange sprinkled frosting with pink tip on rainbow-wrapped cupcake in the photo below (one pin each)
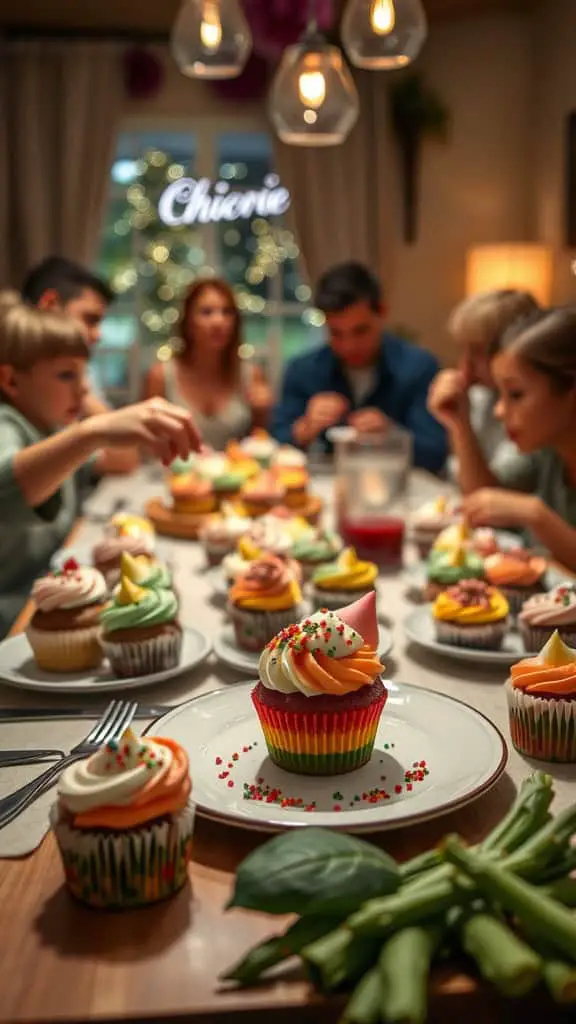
(331, 653)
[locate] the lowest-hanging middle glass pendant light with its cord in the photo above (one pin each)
(313, 100)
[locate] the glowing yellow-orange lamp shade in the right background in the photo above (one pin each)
(524, 267)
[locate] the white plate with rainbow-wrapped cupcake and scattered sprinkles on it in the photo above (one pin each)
(321, 739)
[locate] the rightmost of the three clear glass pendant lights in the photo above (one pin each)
(382, 35)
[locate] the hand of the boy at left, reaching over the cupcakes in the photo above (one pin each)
(156, 425)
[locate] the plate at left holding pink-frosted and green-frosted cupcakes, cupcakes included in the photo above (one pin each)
(79, 641)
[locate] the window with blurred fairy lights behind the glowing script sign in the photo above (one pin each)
(151, 265)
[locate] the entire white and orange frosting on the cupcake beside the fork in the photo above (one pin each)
(127, 784)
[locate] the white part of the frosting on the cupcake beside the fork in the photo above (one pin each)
(114, 775)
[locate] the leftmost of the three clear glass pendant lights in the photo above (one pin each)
(212, 39)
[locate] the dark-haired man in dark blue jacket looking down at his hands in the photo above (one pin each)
(364, 377)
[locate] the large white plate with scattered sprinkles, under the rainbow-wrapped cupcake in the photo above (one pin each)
(228, 753)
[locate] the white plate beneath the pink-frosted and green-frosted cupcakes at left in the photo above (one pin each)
(19, 669)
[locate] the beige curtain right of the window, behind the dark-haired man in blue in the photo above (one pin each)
(345, 199)
